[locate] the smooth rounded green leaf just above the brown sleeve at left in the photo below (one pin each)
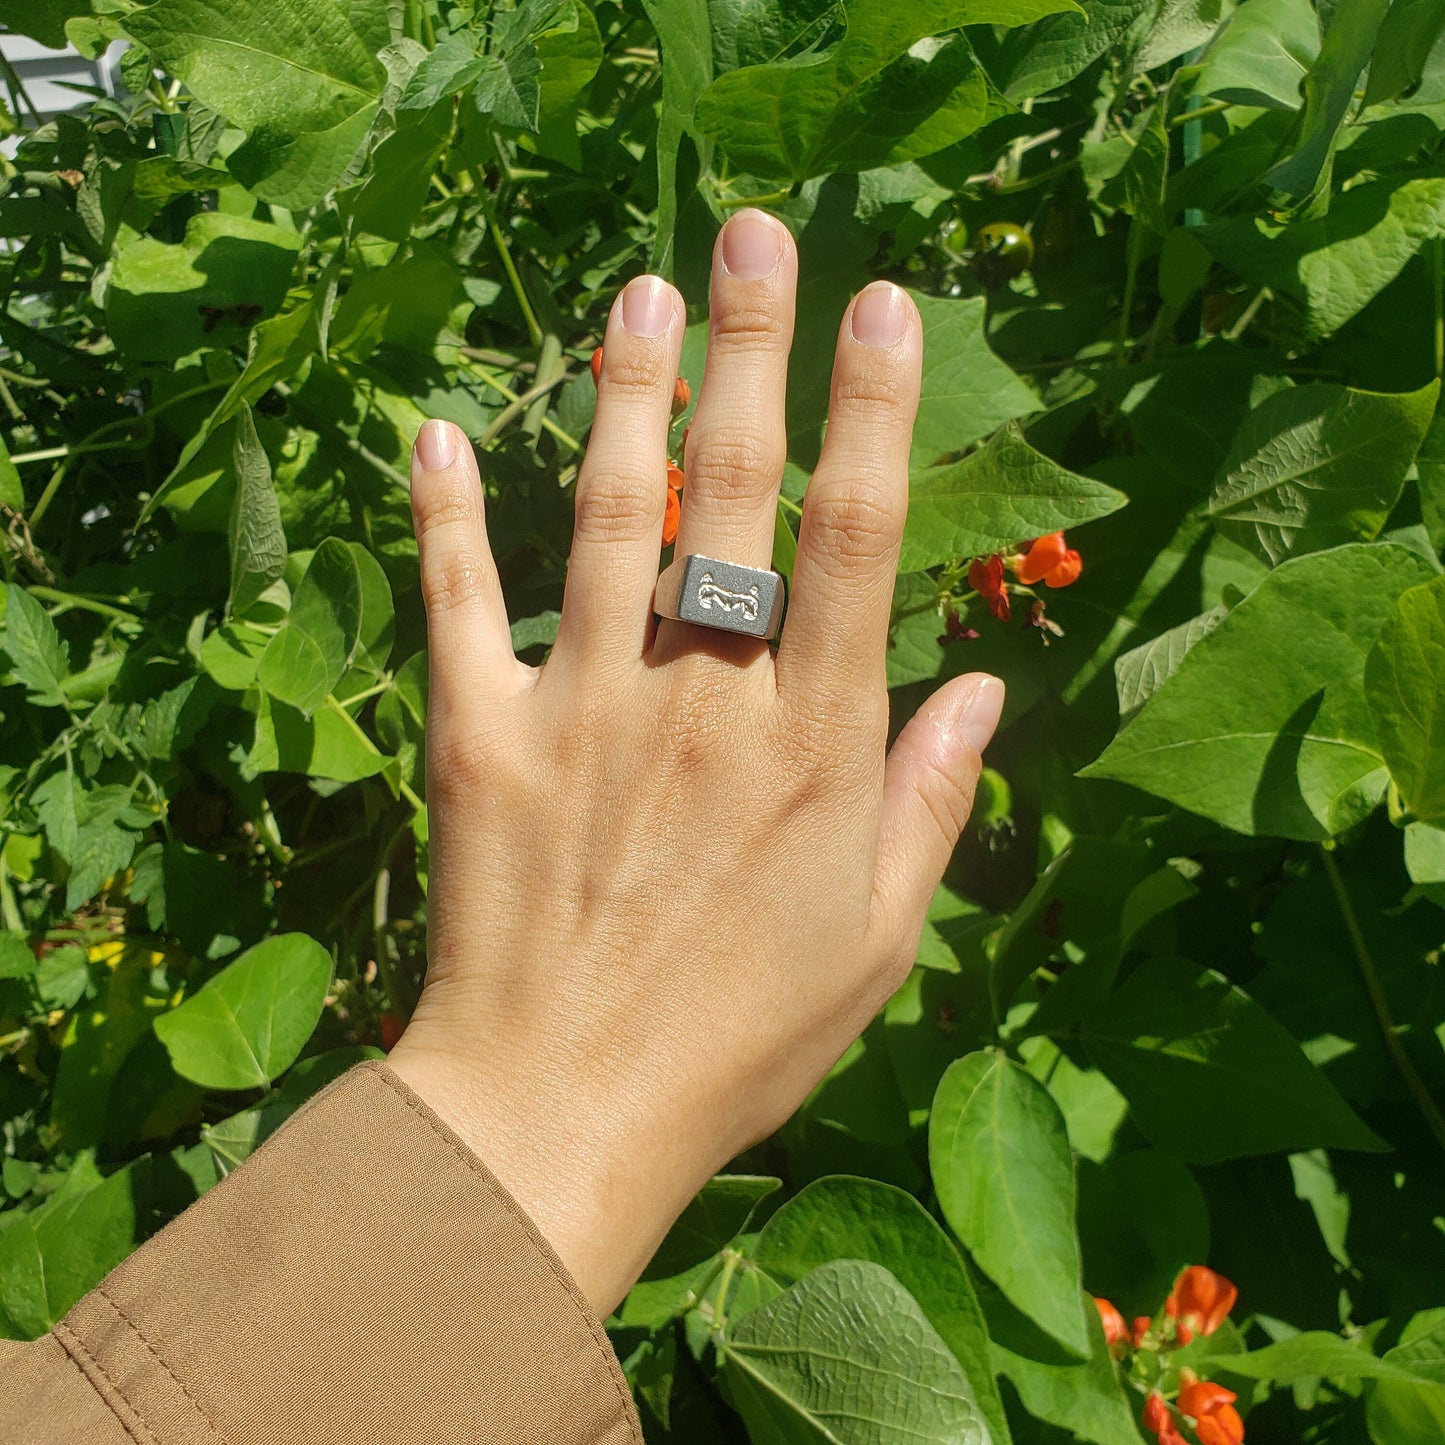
(248, 1025)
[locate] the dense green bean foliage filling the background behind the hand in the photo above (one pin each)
(1180, 999)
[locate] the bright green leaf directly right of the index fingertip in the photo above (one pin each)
(967, 391)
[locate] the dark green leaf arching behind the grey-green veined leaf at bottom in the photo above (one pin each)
(865, 1220)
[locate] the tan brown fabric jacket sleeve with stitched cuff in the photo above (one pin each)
(361, 1280)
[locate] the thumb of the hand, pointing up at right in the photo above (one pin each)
(928, 793)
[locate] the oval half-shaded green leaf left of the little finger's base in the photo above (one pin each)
(311, 652)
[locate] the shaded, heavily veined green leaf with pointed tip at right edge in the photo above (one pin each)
(1317, 466)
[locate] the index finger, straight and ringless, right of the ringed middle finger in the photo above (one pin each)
(836, 634)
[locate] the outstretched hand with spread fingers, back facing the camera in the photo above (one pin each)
(673, 874)
